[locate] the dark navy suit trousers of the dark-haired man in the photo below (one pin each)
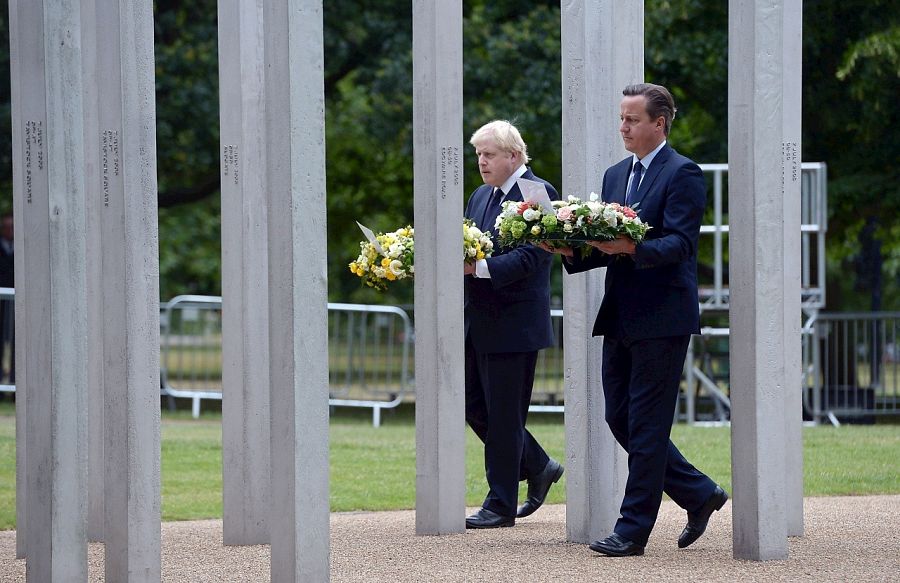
(640, 385)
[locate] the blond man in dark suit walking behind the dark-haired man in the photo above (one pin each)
(507, 320)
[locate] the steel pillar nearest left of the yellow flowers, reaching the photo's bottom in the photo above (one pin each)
(298, 289)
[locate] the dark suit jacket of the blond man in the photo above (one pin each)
(510, 312)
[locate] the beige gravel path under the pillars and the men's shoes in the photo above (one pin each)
(847, 539)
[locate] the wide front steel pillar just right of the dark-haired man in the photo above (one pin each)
(757, 284)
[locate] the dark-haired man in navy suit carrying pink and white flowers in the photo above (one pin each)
(648, 313)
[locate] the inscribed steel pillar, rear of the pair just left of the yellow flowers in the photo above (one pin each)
(245, 304)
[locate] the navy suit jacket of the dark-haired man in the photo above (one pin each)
(653, 293)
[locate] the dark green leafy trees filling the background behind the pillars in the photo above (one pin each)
(512, 70)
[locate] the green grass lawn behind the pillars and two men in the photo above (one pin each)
(374, 469)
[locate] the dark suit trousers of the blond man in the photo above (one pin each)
(498, 393)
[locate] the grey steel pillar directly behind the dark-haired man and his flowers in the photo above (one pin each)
(602, 52)
